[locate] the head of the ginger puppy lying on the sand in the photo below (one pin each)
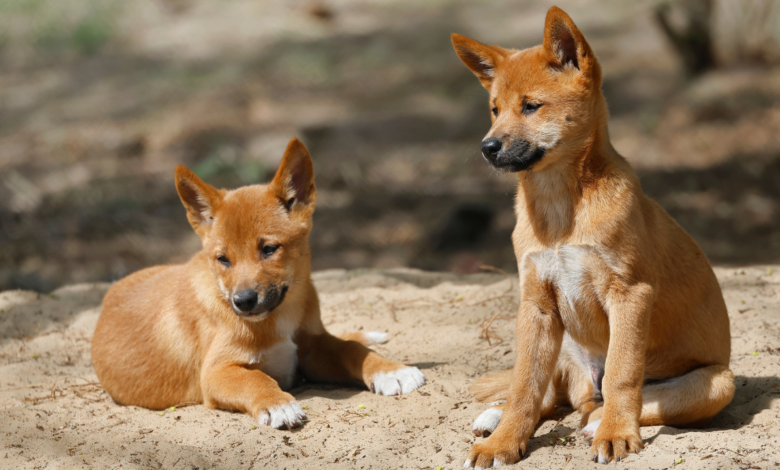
(255, 237)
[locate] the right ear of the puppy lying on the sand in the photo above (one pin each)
(294, 180)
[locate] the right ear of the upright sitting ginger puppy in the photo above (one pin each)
(568, 45)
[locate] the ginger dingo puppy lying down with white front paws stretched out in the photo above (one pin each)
(230, 328)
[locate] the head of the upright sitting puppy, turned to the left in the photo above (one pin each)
(544, 101)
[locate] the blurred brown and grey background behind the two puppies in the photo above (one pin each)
(100, 100)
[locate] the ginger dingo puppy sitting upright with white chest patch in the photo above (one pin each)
(617, 301)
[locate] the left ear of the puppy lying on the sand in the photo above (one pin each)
(199, 198)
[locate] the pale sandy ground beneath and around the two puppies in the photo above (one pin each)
(53, 414)
